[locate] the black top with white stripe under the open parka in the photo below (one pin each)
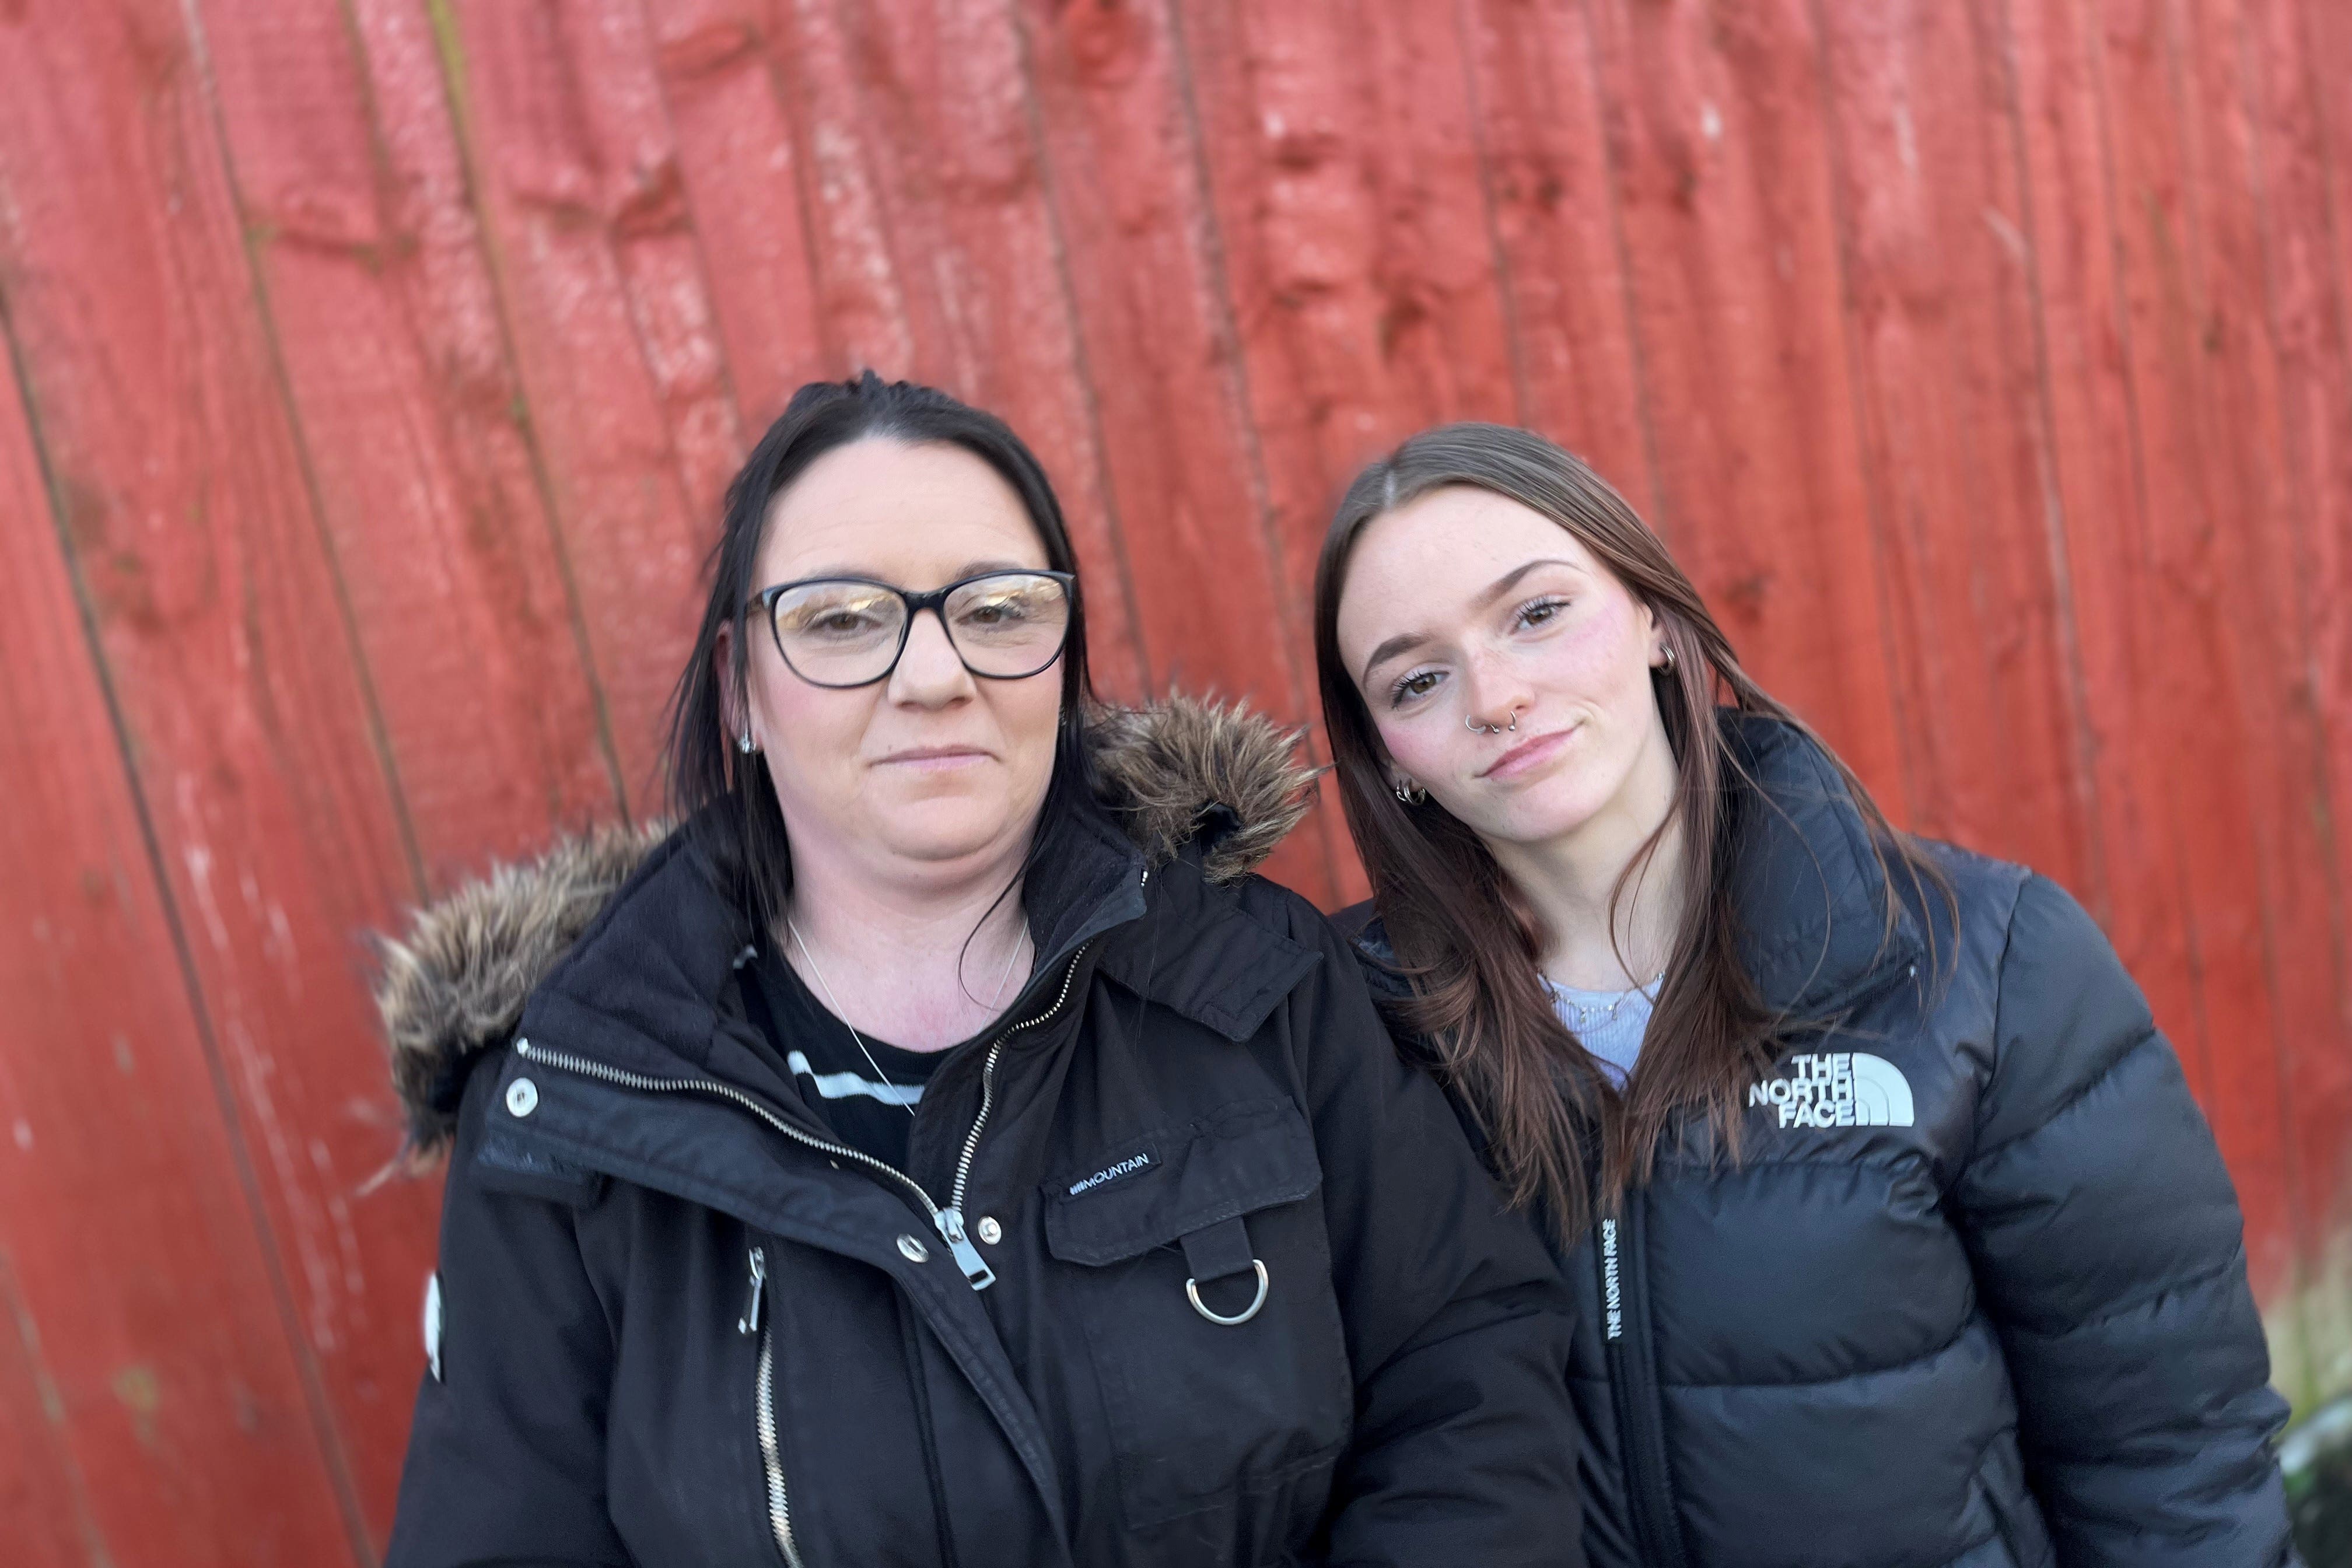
(864, 1111)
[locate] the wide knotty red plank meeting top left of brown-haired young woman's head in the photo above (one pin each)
(1358, 248)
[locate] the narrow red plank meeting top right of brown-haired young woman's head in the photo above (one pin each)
(1563, 246)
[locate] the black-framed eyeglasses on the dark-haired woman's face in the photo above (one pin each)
(850, 631)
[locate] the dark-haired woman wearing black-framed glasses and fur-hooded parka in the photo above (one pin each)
(942, 1148)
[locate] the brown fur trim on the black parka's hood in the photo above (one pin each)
(457, 979)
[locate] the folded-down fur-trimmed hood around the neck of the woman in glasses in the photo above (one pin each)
(622, 937)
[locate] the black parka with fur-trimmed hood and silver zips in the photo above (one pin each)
(676, 1329)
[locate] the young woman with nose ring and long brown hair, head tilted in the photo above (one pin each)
(1897, 1233)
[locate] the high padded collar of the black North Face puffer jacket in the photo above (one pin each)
(1808, 890)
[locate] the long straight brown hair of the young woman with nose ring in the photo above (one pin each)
(1462, 930)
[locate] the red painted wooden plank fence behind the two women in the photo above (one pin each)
(377, 366)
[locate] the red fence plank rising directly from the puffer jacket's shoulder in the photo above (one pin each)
(1939, 311)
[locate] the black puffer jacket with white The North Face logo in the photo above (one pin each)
(1972, 1299)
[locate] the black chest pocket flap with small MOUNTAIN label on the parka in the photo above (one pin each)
(1182, 1179)
